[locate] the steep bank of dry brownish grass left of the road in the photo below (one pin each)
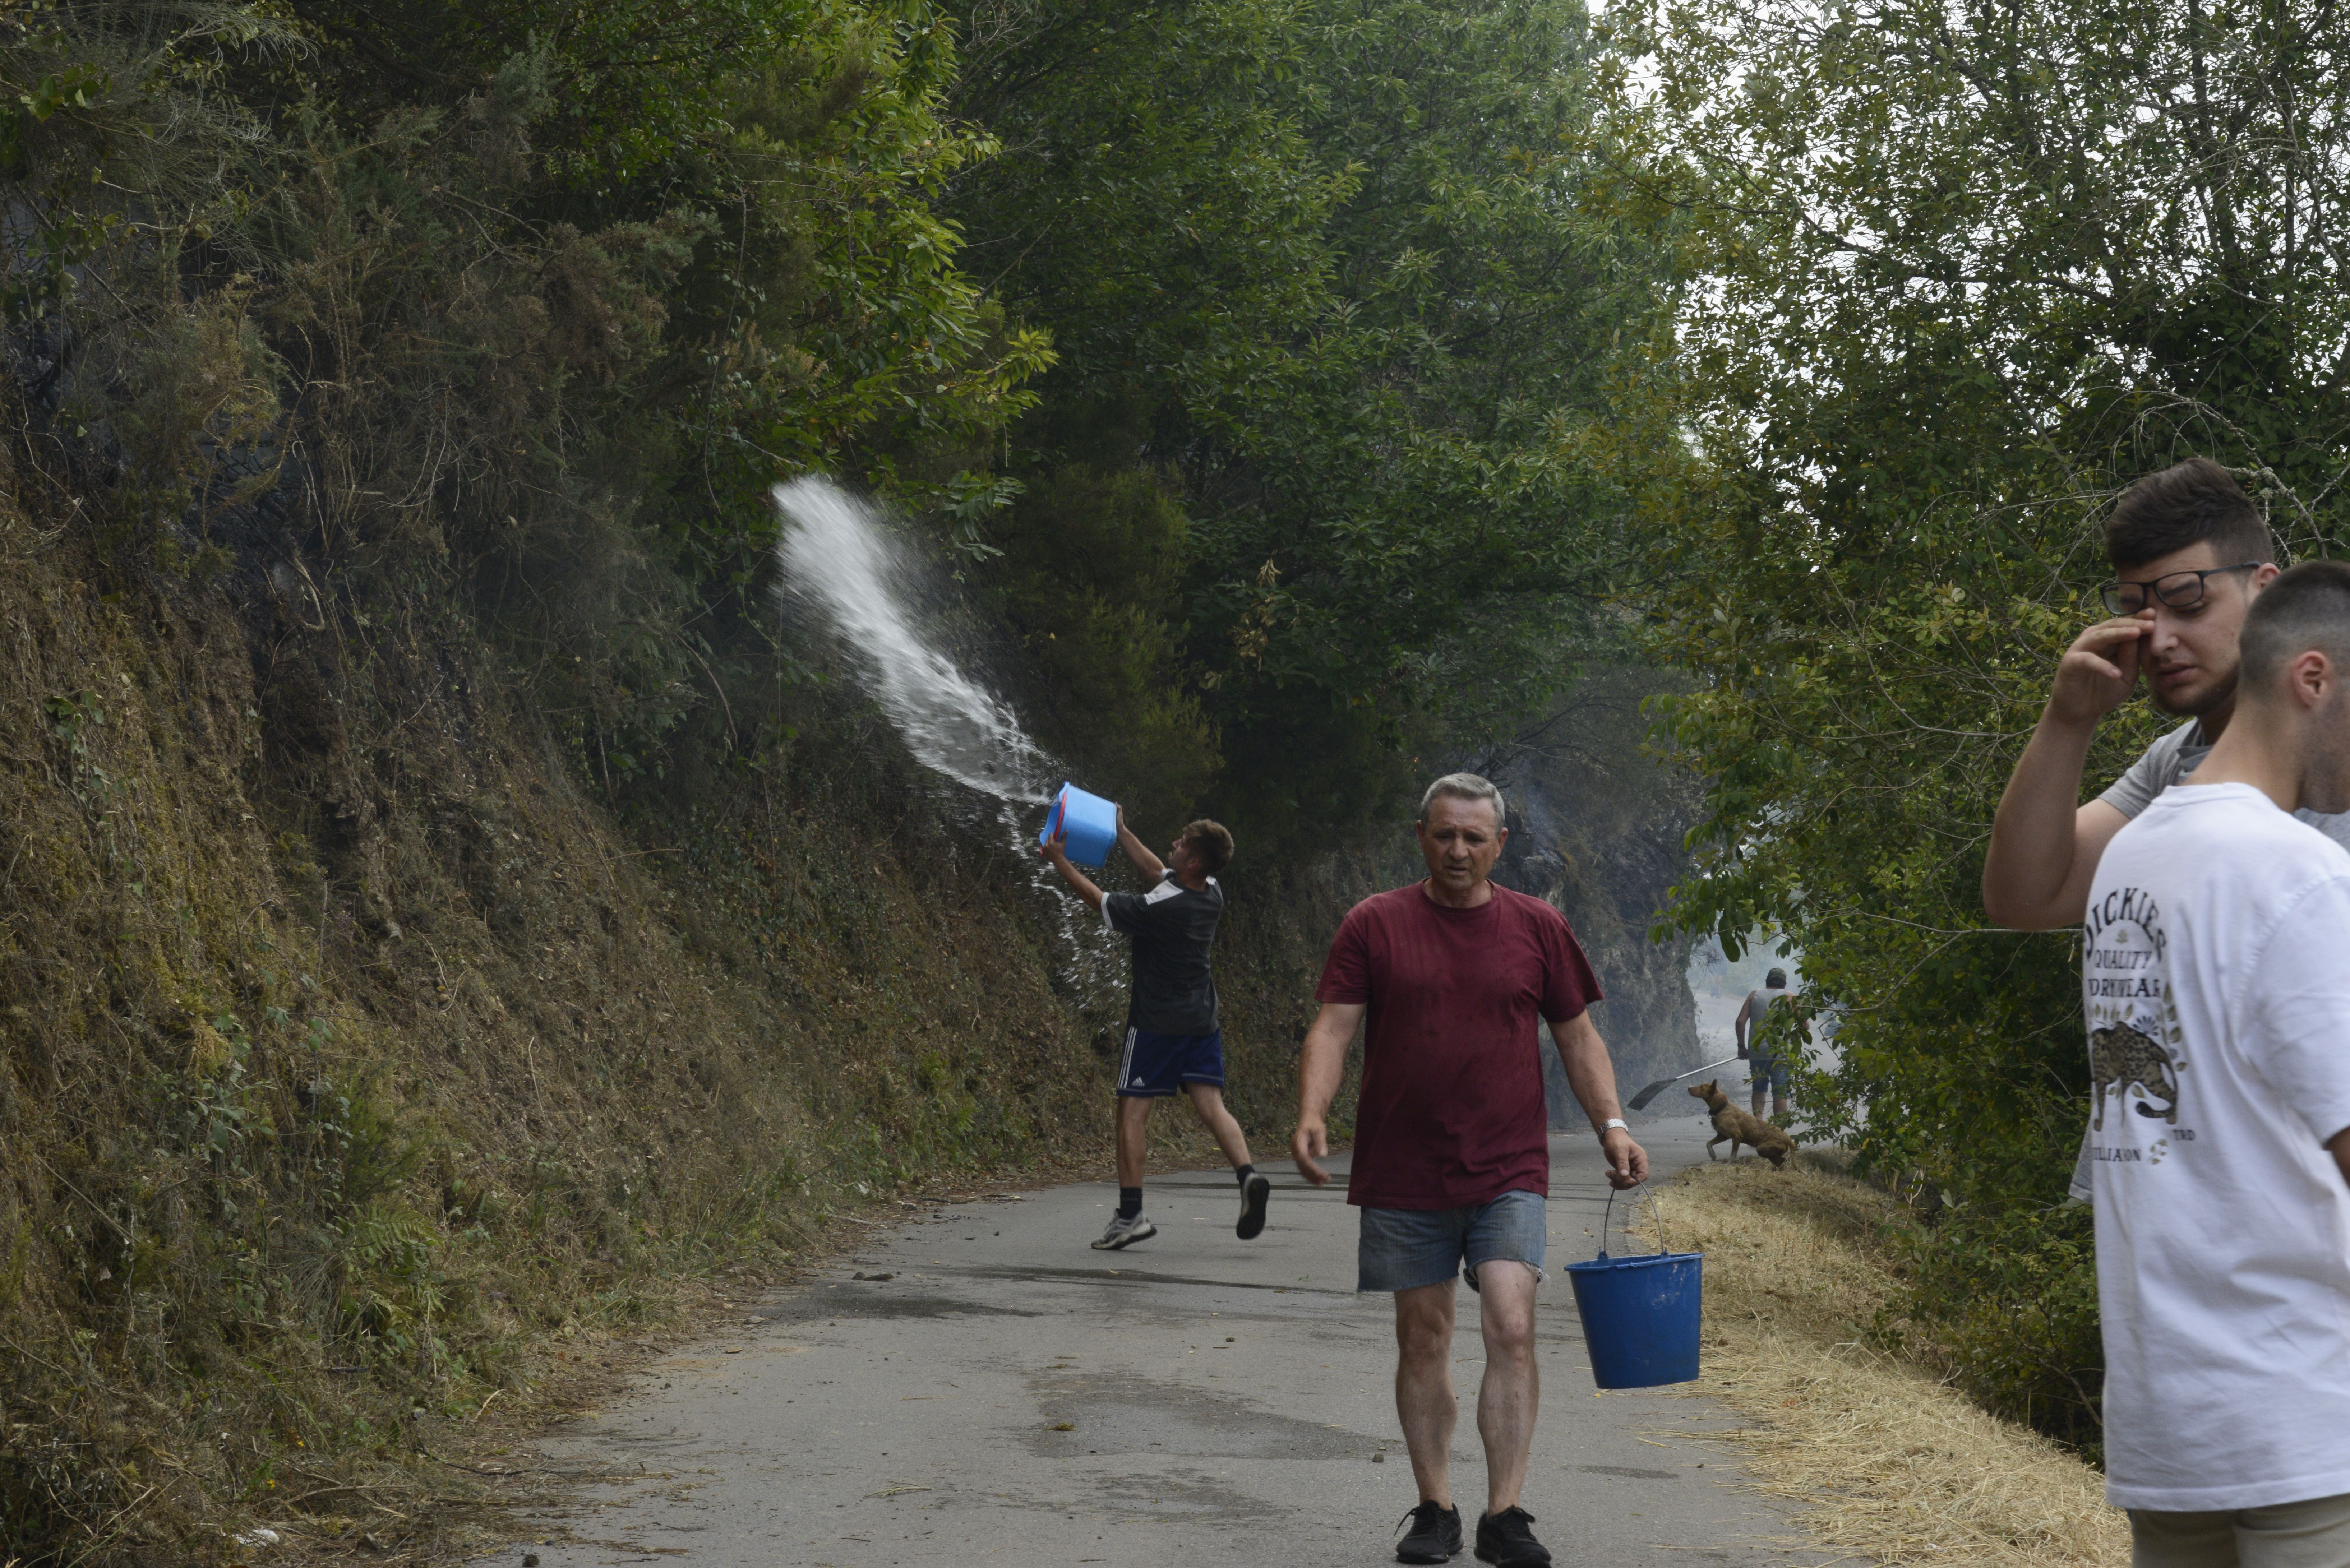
(361, 1068)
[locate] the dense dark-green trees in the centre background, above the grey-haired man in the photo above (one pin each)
(1327, 272)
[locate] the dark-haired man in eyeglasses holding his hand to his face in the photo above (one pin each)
(2189, 556)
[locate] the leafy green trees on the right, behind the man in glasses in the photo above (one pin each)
(1952, 279)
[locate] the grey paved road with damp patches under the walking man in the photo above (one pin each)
(1009, 1395)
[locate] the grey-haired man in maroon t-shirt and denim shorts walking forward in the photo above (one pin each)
(1451, 1141)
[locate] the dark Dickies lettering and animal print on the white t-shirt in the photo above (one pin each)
(2135, 1038)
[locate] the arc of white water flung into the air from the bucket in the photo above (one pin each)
(840, 563)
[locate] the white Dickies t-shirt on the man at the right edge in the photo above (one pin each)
(2220, 1043)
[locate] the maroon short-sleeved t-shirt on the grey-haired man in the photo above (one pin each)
(1451, 1108)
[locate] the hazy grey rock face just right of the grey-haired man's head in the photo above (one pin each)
(1597, 829)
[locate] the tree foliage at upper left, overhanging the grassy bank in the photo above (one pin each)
(542, 311)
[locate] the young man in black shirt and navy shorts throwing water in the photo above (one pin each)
(1174, 1043)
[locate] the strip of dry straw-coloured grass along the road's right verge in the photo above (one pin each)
(1886, 1463)
